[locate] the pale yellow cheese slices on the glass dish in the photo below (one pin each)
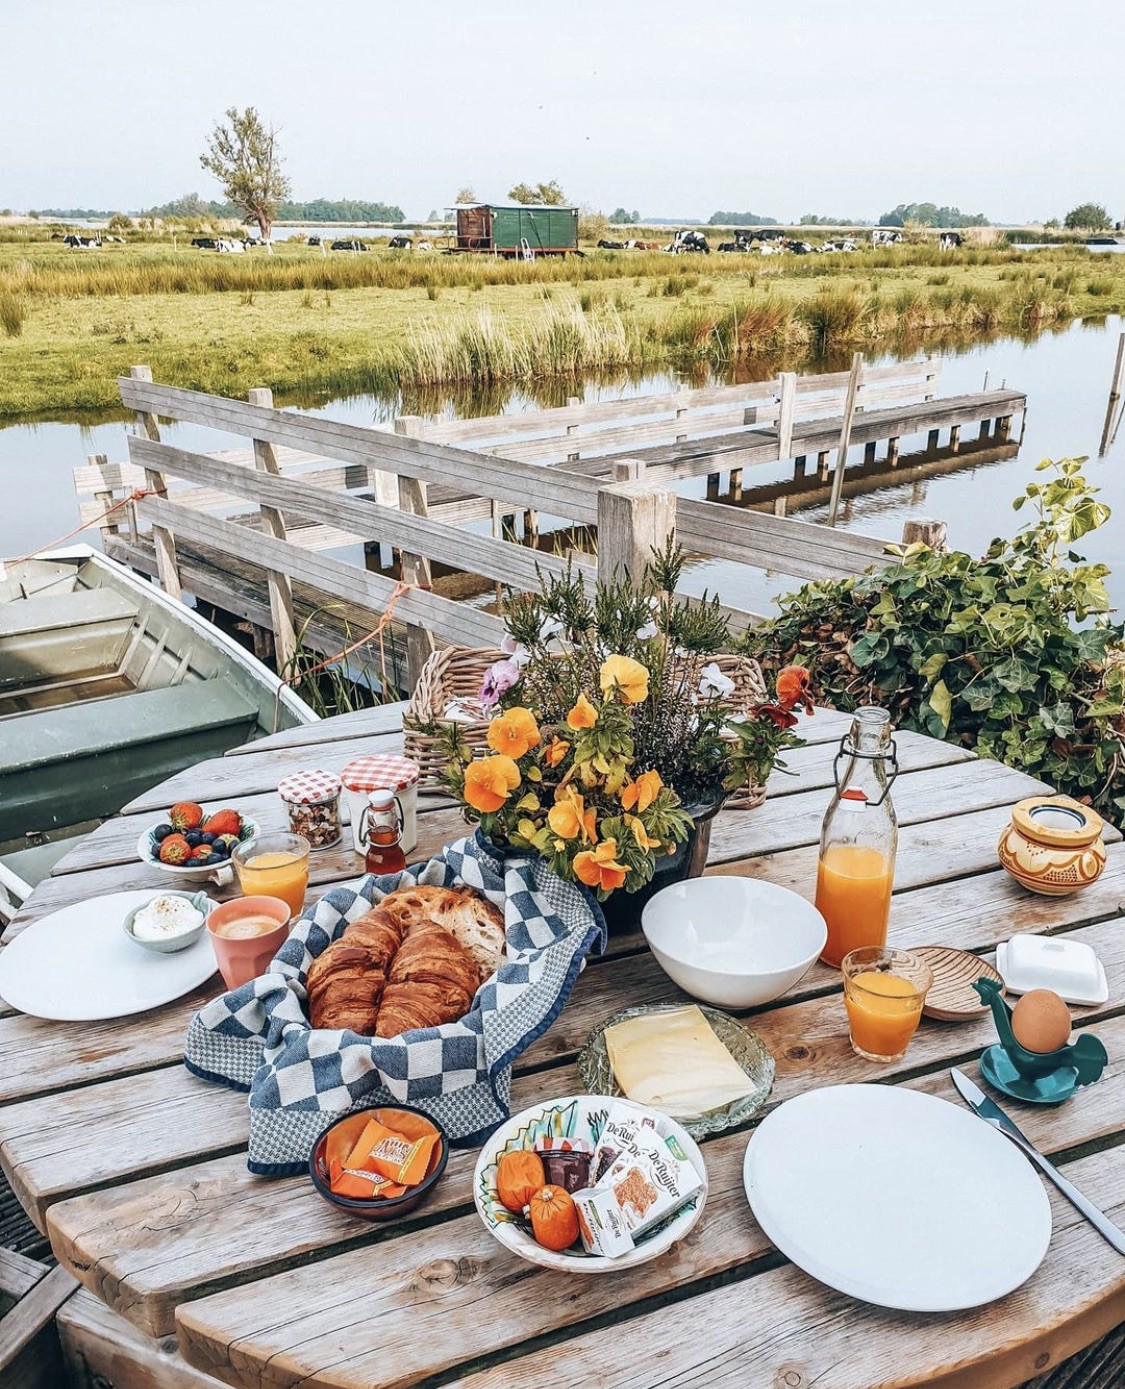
(674, 1063)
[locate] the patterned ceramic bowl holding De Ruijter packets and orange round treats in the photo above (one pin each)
(577, 1116)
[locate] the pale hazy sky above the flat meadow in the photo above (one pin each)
(673, 108)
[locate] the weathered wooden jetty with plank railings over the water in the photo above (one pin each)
(252, 531)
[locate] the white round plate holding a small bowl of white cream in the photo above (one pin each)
(78, 966)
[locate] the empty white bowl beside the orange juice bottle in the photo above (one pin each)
(737, 942)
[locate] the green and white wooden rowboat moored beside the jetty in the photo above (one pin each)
(108, 687)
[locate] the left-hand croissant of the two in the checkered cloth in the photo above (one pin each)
(347, 981)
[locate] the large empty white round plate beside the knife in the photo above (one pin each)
(898, 1198)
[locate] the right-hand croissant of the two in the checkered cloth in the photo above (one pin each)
(433, 981)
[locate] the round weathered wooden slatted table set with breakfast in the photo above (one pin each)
(197, 1273)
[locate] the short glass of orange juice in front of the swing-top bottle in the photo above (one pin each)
(884, 995)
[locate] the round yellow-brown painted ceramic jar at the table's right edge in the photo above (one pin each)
(1053, 845)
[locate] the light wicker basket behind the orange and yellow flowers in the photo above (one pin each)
(456, 674)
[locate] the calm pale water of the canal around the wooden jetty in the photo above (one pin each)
(1066, 376)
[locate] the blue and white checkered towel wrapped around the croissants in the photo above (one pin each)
(301, 1080)
